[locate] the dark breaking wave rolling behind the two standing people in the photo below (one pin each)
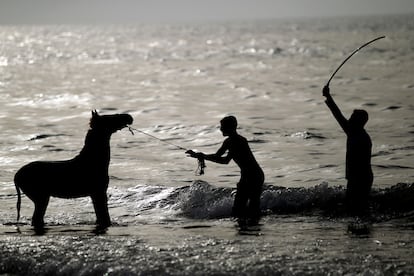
(201, 200)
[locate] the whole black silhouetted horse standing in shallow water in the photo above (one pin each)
(84, 175)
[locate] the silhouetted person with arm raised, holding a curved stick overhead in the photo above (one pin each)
(358, 156)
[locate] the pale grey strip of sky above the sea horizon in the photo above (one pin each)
(135, 11)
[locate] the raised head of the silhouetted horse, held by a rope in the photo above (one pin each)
(110, 123)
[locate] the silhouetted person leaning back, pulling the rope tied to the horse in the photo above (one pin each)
(246, 205)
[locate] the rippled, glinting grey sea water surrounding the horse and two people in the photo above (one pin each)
(178, 81)
